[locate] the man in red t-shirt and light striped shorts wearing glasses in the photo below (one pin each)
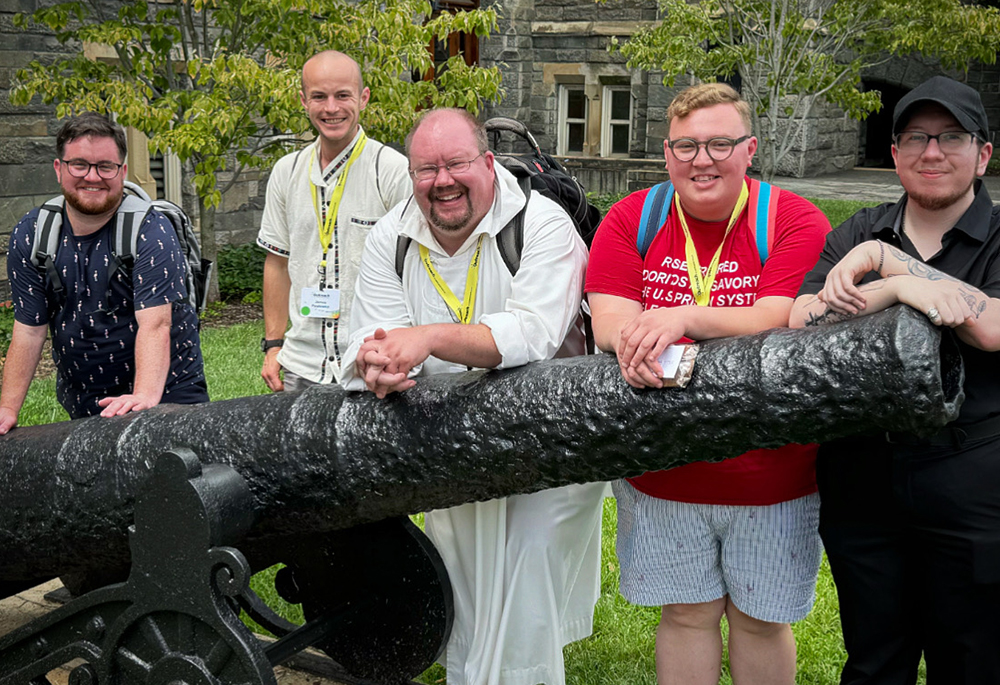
(737, 538)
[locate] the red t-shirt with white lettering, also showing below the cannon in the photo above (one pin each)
(759, 477)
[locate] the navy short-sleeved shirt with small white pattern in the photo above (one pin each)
(93, 326)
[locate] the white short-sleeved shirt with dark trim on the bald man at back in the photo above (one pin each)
(377, 180)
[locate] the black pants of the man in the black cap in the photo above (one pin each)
(913, 538)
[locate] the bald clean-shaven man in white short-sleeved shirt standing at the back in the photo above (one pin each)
(321, 203)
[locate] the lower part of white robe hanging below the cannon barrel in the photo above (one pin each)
(525, 572)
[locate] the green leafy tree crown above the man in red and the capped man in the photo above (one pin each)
(793, 53)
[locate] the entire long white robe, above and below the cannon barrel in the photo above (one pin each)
(525, 569)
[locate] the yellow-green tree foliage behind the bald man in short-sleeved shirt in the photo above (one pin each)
(217, 81)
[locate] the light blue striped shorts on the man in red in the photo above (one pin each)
(765, 558)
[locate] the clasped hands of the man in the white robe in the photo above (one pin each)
(386, 358)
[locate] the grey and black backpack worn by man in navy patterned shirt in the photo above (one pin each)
(132, 212)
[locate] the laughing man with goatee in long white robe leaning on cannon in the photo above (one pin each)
(525, 569)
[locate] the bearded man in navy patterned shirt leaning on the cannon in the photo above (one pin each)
(121, 342)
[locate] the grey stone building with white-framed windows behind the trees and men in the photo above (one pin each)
(605, 121)
